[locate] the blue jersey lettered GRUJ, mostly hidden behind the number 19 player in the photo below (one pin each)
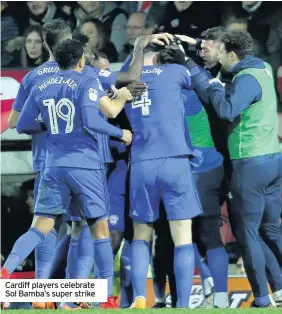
(31, 79)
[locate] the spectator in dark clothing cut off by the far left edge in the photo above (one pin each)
(9, 30)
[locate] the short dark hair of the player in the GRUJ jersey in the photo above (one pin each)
(55, 32)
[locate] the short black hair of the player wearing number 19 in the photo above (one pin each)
(68, 53)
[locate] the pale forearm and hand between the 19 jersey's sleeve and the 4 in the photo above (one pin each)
(112, 107)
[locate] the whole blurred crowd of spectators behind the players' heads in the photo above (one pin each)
(119, 23)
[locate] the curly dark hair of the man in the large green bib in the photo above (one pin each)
(241, 42)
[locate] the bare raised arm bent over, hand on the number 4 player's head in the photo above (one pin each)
(135, 68)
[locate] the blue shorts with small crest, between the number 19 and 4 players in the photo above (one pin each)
(117, 195)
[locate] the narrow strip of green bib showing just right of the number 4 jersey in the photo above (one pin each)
(199, 128)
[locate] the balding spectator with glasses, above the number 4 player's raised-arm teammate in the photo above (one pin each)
(139, 23)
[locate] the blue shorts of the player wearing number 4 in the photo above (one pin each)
(166, 179)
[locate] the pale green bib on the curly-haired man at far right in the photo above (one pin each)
(255, 131)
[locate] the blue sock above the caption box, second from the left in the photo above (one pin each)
(44, 255)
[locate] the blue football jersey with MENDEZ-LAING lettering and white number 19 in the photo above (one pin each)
(59, 99)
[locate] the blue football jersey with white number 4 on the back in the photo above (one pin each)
(157, 117)
